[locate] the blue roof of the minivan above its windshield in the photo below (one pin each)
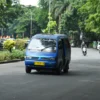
(50, 36)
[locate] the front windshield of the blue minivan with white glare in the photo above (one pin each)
(42, 45)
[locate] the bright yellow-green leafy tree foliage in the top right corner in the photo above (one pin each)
(91, 11)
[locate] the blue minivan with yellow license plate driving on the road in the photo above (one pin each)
(48, 52)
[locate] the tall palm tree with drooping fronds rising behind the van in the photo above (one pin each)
(57, 7)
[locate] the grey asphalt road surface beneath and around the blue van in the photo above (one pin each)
(82, 82)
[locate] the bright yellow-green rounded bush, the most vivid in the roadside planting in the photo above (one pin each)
(9, 44)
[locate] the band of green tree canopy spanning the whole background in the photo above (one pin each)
(71, 17)
